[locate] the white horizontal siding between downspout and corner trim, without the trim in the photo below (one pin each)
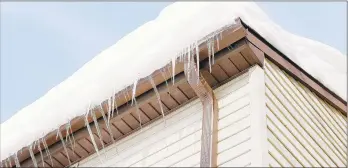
(234, 133)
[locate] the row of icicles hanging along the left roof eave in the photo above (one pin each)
(187, 54)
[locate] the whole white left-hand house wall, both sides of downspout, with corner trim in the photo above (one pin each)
(179, 142)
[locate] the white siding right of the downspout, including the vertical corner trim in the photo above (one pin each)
(241, 102)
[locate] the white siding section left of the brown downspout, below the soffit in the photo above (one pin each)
(177, 143)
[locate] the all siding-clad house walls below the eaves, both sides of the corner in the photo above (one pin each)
(266, 118)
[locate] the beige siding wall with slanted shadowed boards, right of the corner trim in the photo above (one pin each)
(303, 130)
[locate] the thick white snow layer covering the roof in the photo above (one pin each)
(149, 48)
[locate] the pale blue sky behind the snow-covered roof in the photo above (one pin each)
(43, 43)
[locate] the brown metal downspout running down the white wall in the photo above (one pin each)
(210, 114)
